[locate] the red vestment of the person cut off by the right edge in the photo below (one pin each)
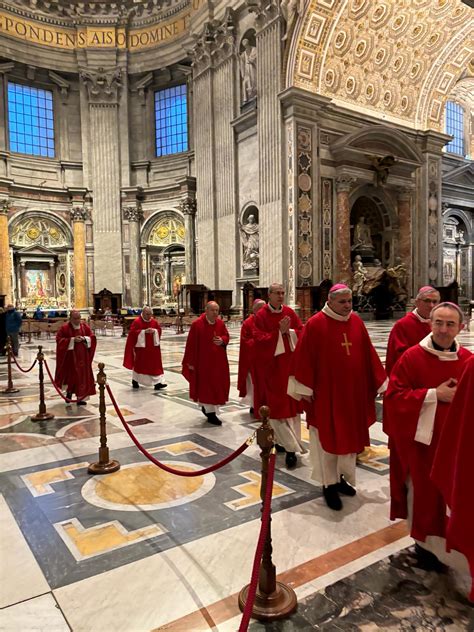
(452, 468)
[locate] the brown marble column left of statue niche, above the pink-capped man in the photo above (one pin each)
(343, 229)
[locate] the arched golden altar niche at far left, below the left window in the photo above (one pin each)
(42, 262)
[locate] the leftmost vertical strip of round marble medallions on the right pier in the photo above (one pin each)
(305, 205)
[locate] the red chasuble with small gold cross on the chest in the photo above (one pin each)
(337, 360)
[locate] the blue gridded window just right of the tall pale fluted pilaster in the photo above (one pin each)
(171, 120)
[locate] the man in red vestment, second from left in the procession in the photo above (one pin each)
(143, 352)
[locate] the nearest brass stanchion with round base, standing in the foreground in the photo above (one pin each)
(274, 600)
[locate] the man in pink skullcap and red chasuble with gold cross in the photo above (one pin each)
(338, 373)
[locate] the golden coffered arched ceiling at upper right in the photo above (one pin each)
(398, 59)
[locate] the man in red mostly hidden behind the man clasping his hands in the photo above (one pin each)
(246, 377)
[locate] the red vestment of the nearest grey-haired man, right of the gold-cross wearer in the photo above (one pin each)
(417, 371)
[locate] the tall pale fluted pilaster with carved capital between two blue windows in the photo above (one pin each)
(103, 91)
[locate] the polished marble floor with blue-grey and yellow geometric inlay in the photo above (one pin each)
(141, 550)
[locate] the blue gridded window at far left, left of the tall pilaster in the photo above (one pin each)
(30, 120)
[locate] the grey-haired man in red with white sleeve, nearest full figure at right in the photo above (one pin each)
(421, 388)
